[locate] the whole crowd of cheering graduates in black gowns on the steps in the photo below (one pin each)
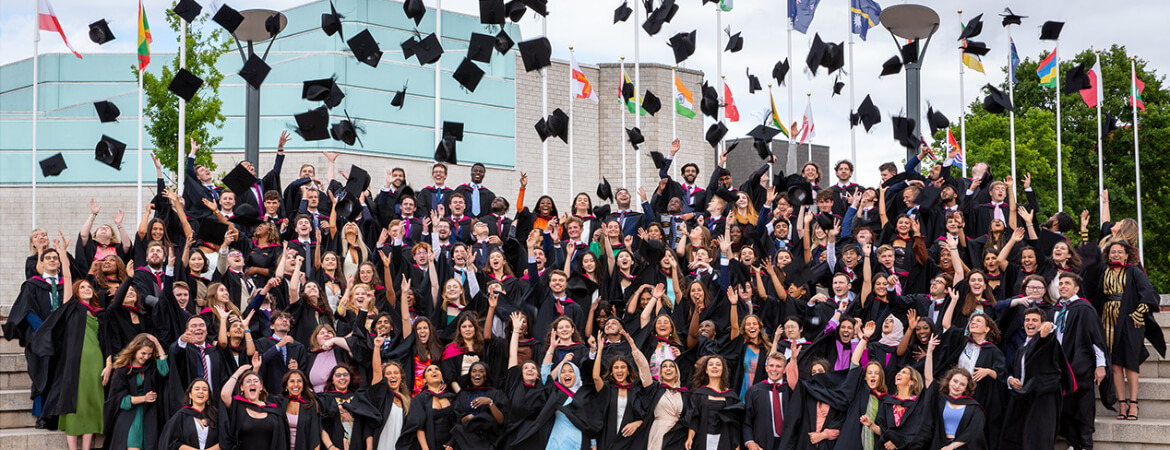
(928, 313)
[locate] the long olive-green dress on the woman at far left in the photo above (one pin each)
(91, 393)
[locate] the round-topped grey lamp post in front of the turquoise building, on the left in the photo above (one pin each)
(252, 31)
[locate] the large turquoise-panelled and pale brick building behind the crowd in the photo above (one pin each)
(499, 119)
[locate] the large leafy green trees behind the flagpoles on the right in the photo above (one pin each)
(1036, 149)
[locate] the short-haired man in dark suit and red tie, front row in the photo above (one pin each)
(773, 410)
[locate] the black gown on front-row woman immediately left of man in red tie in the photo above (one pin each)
(707, 417)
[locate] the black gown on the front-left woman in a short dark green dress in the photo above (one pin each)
(123, 384)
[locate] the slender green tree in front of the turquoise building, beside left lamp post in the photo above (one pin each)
(204, 112)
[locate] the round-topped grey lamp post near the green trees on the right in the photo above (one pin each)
(912, 23)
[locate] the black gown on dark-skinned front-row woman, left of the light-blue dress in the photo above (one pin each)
(483, 432)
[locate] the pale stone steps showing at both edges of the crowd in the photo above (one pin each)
(1150, 433)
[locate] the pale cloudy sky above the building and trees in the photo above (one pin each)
(588, 26)
